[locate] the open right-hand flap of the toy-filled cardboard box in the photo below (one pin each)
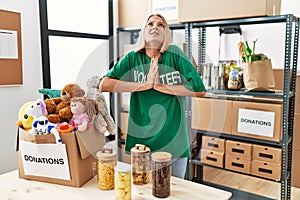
(90, 141)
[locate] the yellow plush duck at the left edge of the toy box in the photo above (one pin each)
(24, 120)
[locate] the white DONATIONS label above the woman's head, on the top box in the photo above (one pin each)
(167, 8)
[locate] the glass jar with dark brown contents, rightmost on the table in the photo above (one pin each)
(161, 174)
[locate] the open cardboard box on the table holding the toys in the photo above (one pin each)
(72, 163)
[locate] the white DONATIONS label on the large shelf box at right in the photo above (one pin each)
(256, 122)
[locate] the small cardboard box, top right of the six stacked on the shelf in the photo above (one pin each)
(266, 154)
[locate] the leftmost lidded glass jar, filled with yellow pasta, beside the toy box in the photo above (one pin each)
(107, 160)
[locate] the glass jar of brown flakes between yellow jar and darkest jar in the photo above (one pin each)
(140, 162)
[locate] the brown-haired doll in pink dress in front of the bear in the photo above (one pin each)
(84, 110)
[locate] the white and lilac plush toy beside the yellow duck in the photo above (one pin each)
(36, 109)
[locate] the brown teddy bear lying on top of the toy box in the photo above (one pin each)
(59, 108)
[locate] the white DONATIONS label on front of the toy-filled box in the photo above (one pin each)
(46, 160)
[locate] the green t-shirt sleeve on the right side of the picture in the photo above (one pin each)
(192, 79)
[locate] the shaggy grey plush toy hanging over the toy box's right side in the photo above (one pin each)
(103, 121)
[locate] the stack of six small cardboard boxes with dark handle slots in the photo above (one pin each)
(258, 160)
